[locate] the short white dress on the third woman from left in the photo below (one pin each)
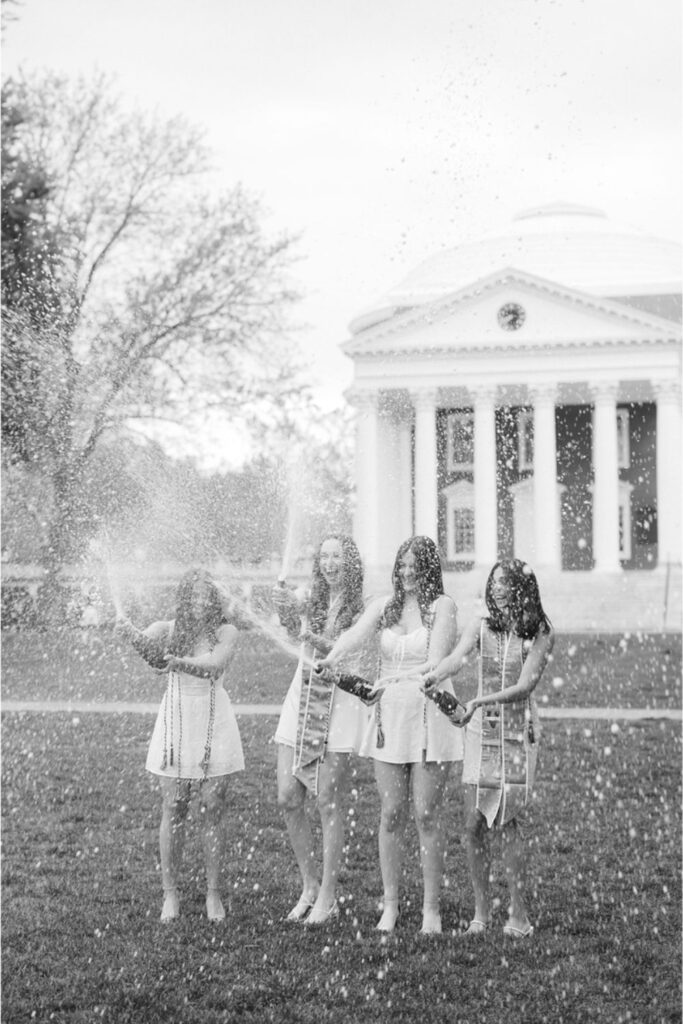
(407, 727)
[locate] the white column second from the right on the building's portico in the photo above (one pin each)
(606, 481)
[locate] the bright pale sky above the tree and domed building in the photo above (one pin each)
(386, 131)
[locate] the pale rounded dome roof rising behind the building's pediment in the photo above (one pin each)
(575, 246)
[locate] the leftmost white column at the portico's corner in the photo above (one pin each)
(366, 516)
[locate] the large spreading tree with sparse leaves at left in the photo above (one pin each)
(147, 297)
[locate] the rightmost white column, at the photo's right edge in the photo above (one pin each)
(669, 472)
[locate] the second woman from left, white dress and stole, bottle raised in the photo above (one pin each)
(320, 727)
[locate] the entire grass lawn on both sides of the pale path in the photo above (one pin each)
(81, 887)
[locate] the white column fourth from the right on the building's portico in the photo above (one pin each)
(486, 497)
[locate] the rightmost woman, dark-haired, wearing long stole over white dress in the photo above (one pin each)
(514, 642)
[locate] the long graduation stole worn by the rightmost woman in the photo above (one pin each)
(506, 731)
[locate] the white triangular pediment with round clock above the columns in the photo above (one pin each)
(511, 310)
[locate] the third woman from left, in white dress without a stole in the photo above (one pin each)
(408, 739)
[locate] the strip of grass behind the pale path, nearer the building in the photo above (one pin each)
(632, 670)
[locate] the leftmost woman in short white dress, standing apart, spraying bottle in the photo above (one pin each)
(196, 737)
